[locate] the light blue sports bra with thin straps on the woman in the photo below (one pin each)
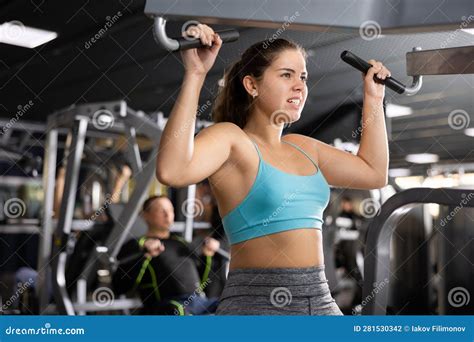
(277, 202)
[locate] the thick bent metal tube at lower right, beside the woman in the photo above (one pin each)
(377, 255)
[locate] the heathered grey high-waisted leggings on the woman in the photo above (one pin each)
(277, 291)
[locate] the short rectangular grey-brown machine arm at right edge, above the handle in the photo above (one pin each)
(452, 61)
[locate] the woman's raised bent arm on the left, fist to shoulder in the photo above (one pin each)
(182, 159)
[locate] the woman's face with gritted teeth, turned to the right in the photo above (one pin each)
(282, 91)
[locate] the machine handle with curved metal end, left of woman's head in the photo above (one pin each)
(177, 44)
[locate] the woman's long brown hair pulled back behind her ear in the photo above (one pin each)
(233, 103)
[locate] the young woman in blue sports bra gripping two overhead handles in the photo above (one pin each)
(271, 190)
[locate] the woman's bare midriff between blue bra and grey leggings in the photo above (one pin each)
(293, 248)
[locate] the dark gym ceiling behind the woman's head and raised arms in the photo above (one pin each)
(126, 63)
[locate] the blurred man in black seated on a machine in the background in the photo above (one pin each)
(166, 274)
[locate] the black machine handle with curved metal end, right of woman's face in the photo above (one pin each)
(361, 65)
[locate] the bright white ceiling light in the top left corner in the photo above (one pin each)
(15, 33)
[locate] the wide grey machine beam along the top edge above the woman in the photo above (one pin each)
(401, 16)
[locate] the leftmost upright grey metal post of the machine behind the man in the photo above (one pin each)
(44, 253)
